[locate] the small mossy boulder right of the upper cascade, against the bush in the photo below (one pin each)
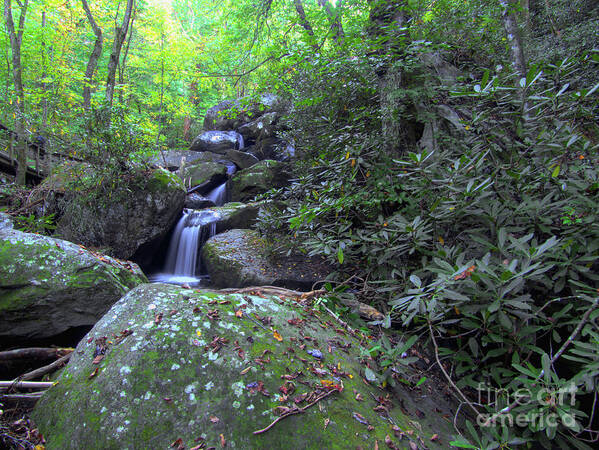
(259, 178)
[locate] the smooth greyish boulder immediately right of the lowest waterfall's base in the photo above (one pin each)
(240, 258)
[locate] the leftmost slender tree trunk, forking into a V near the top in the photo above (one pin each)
(16, 38)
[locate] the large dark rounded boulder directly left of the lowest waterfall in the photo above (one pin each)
(121, 219)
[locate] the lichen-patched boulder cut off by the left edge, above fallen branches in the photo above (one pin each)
(48, 285)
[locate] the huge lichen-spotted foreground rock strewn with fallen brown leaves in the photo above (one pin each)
(185, 367)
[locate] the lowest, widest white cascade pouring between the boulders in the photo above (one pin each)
(183, 263)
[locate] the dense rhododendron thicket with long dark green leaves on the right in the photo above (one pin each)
(489, 244)
